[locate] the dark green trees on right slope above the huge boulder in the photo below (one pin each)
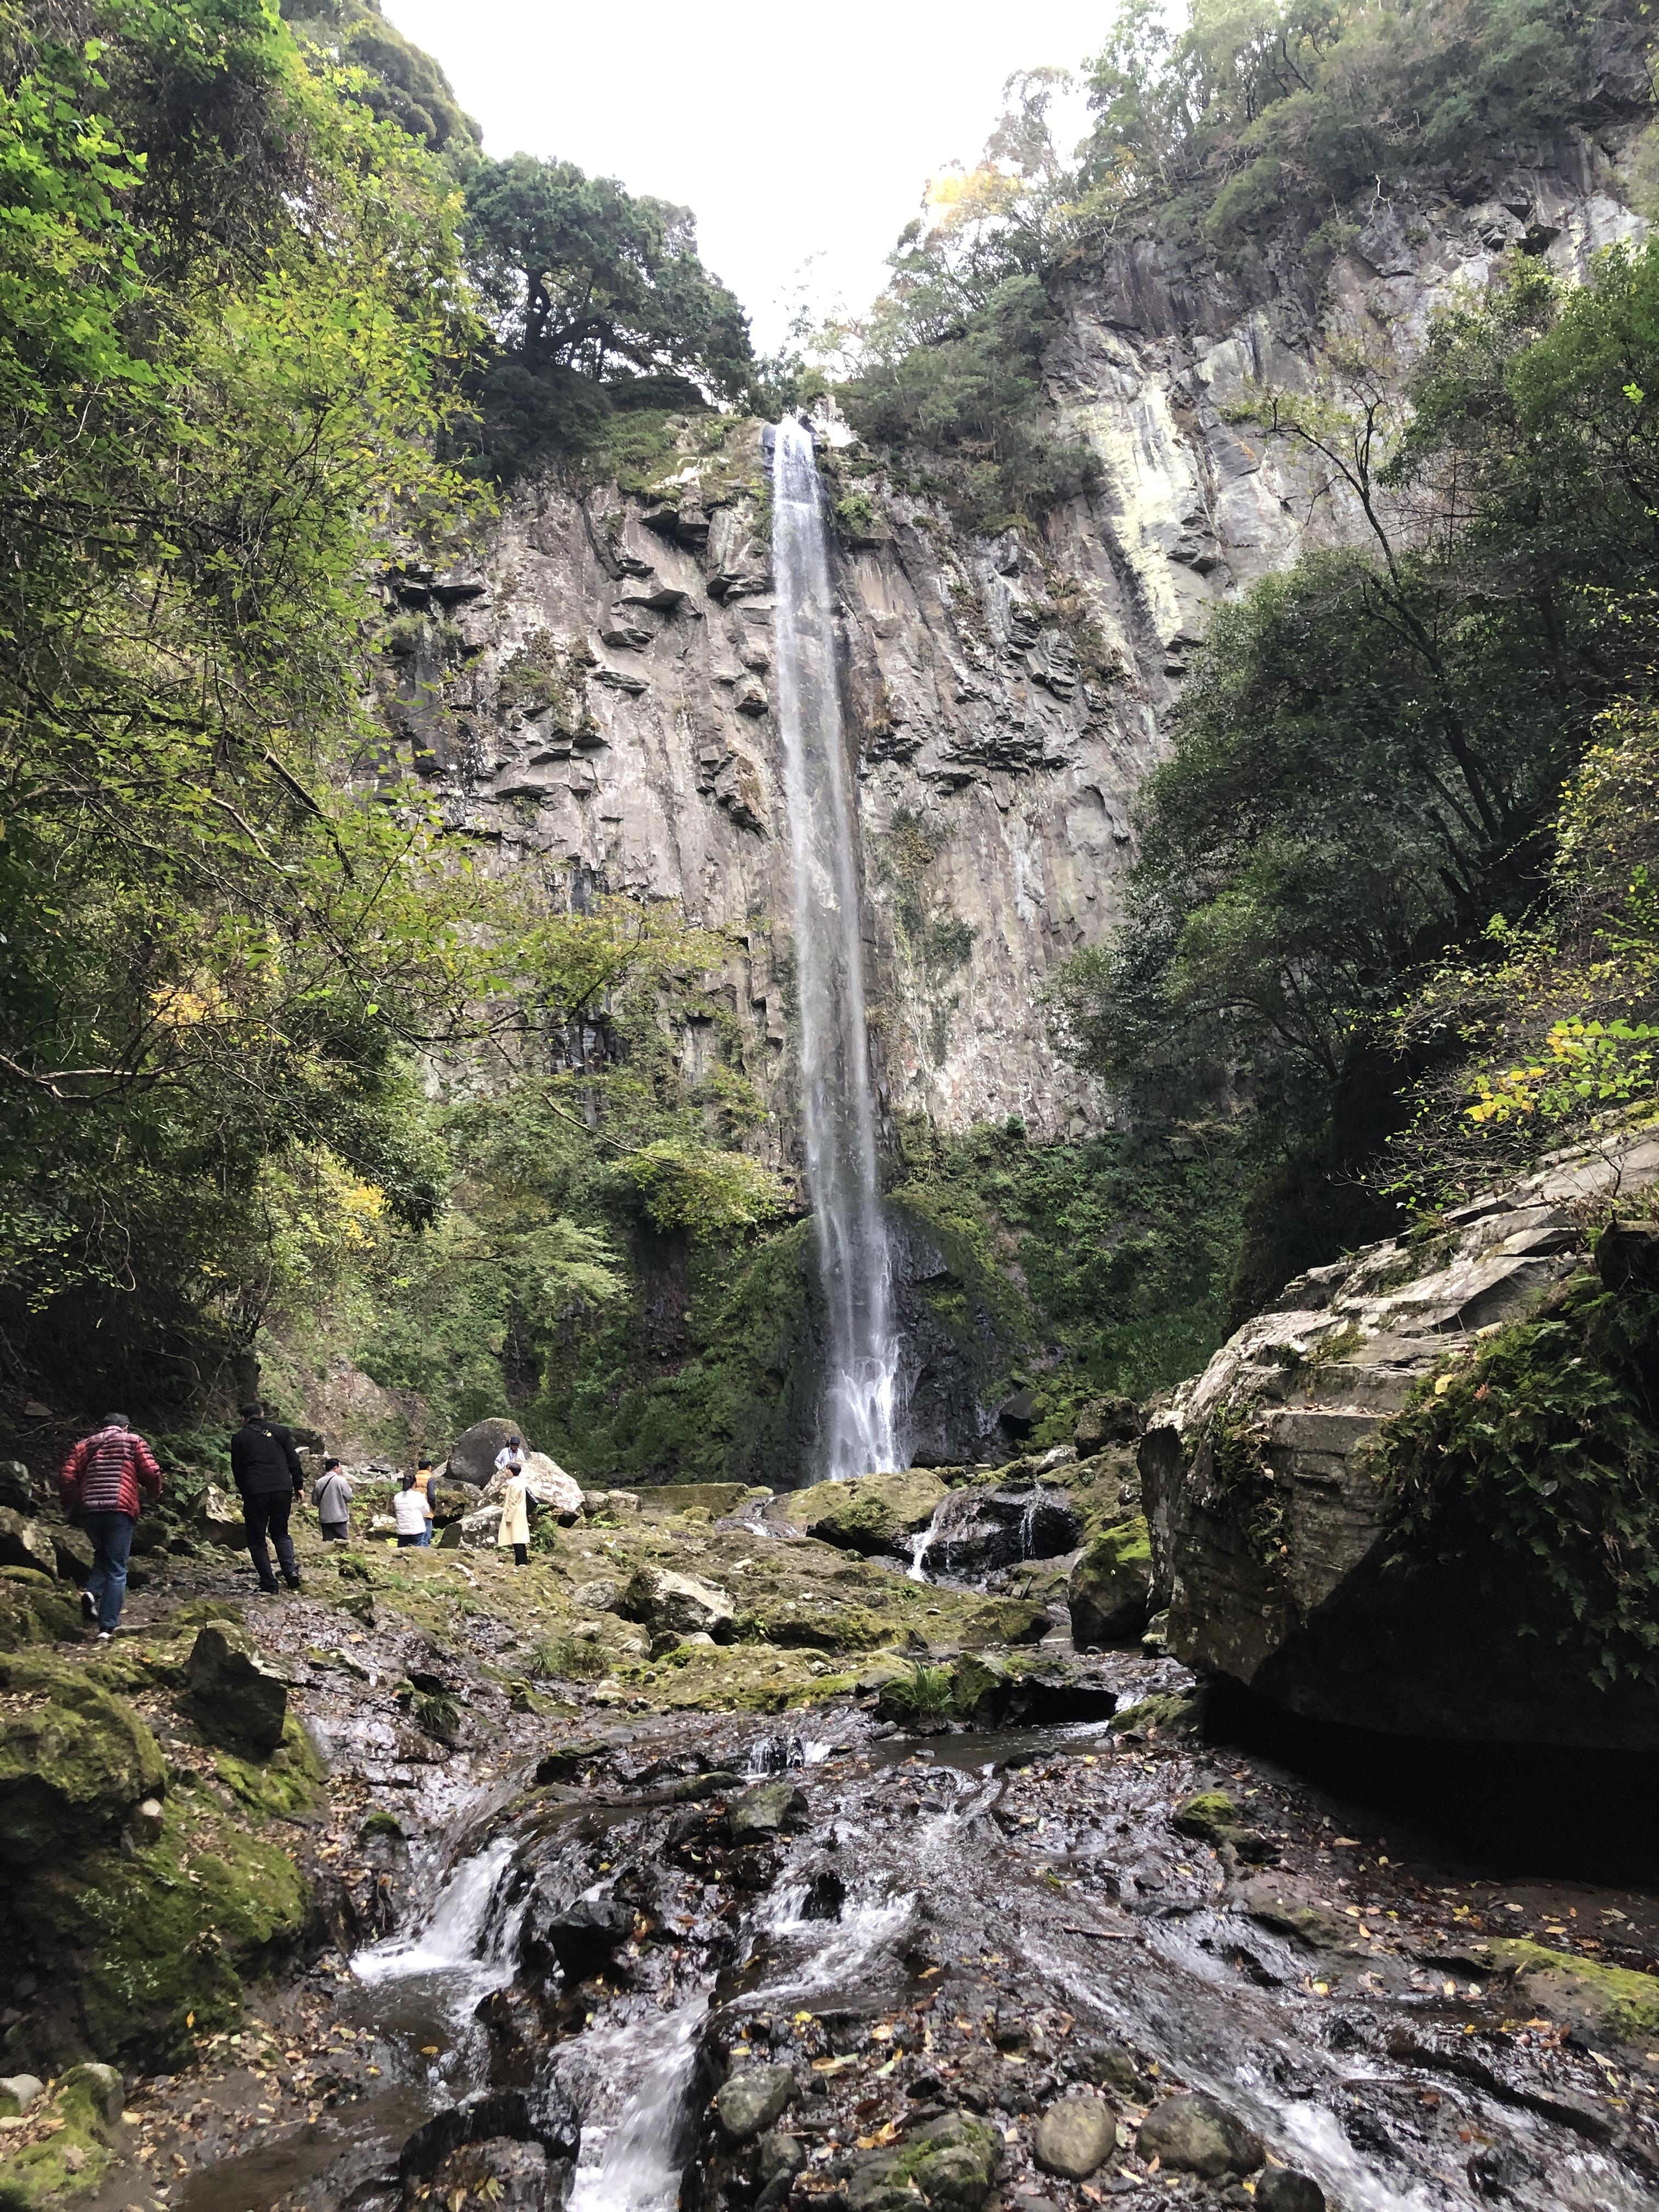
(1368, 769)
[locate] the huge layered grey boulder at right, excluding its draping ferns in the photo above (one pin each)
(1269, 1521)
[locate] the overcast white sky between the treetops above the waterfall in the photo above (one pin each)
(791, 134)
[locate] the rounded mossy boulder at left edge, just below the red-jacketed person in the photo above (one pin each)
(74, 1760)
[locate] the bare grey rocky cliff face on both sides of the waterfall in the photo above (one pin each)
(601, 687)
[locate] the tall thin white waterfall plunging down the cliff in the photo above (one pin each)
(837, 1109)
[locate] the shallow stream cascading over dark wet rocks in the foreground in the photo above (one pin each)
(950, 1921)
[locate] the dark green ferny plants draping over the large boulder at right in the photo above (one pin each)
(1541, 1450)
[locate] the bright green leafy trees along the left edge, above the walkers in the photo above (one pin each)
(229, 320)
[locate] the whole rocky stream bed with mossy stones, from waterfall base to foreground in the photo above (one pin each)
(886, 1899)
